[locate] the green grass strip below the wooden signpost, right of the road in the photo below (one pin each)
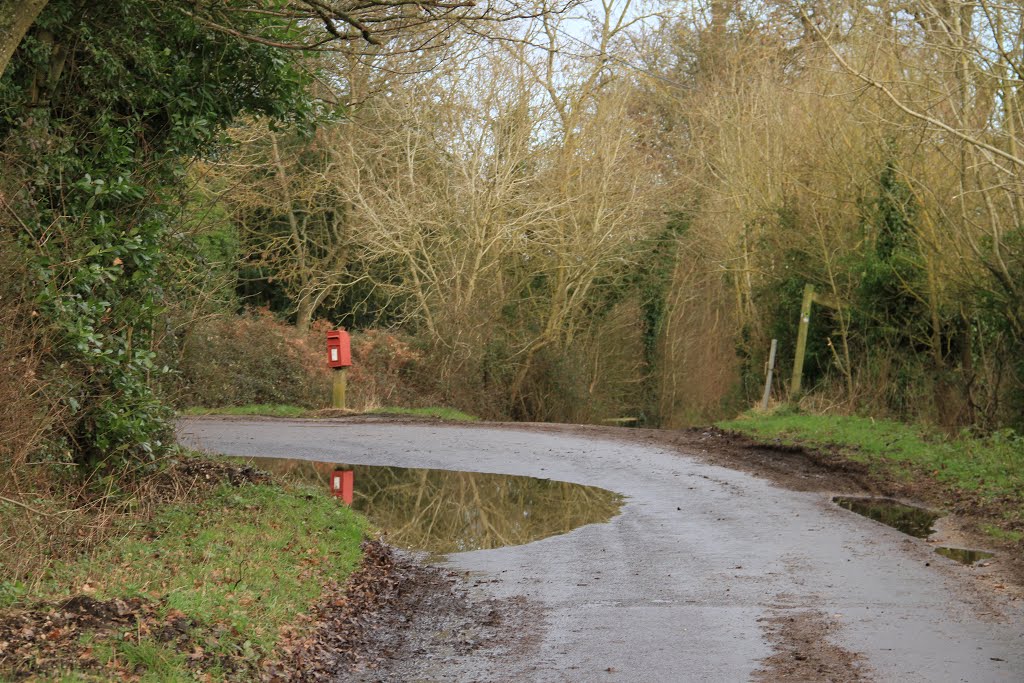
(991, 468)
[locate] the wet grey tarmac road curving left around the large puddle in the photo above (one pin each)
(677, 587)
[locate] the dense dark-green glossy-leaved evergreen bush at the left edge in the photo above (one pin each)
(101, 110)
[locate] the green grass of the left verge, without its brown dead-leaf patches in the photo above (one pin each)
(242, 565)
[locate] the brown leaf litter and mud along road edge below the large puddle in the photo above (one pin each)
(395, 615)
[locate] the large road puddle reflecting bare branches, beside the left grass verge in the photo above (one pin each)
(443, 513)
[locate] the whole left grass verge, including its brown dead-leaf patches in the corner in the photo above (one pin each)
(199, 591)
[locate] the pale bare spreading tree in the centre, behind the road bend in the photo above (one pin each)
(510, 203)
